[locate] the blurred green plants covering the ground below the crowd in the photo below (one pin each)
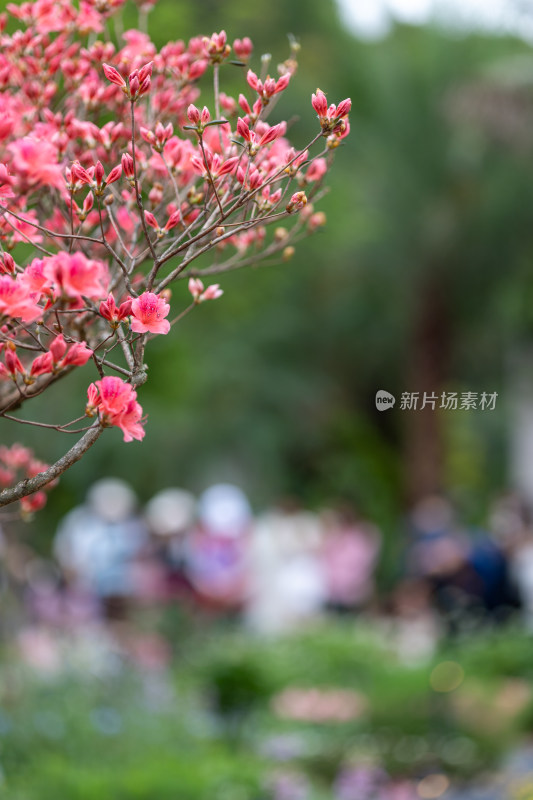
(86, 736)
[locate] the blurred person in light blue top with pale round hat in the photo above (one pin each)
(98, 542)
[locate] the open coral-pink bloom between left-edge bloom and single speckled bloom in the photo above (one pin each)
(76, 275)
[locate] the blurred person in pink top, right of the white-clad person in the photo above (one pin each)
(349, 556)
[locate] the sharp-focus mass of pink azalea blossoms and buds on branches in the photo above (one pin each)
(120, 178)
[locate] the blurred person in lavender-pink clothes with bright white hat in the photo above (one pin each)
(217, 550)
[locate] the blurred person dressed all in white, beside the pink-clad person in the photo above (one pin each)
(287, 583)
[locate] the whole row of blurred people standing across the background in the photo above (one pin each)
(273, 571)
